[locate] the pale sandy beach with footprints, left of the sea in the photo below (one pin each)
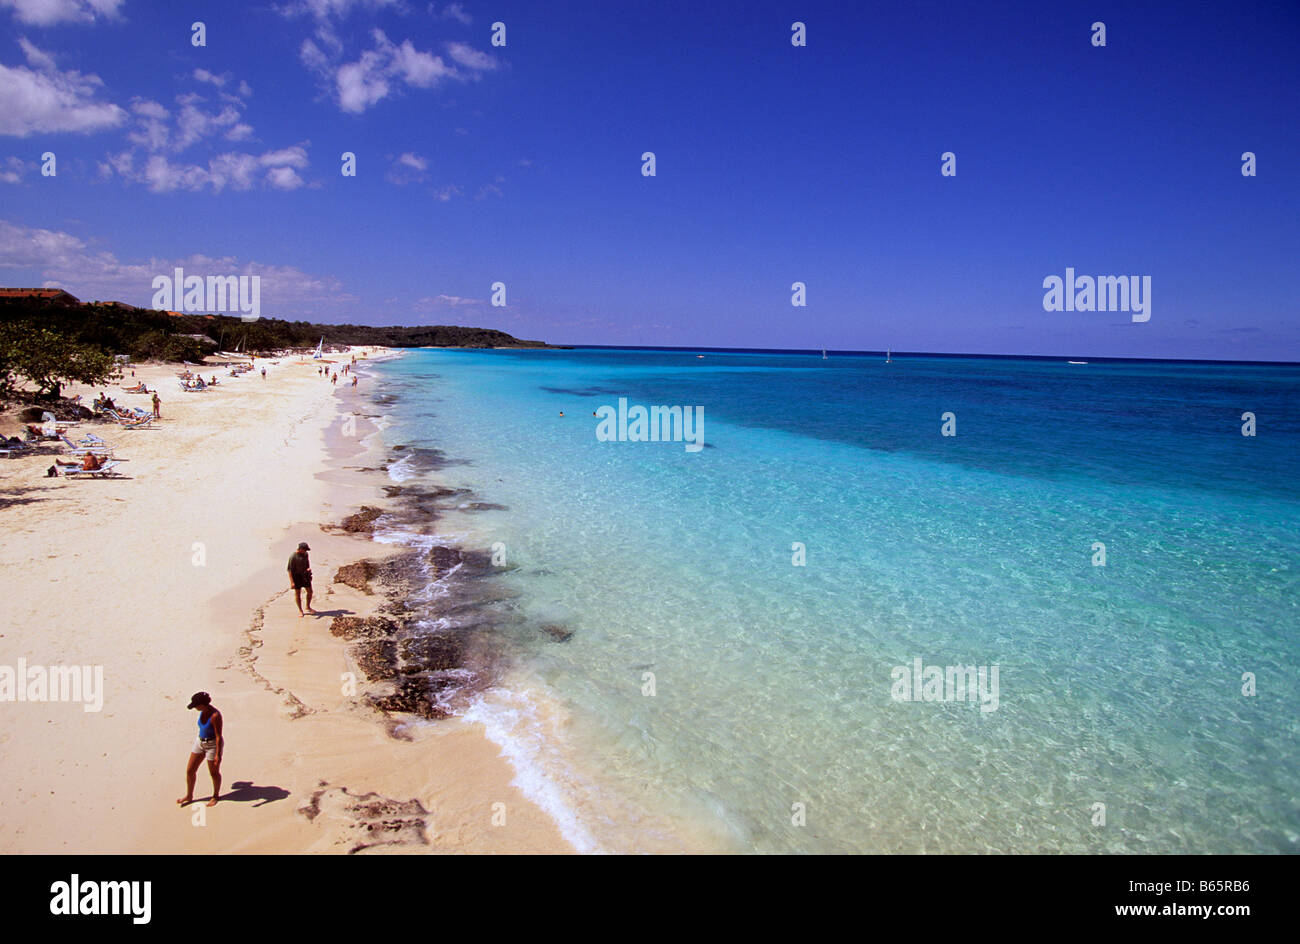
(306, 770)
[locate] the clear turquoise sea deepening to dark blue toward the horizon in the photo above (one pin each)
(772, 726)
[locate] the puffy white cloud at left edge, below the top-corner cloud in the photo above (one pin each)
(50, 102)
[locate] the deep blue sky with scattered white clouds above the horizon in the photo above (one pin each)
(775, 164)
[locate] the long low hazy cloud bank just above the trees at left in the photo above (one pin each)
(66, 261)
